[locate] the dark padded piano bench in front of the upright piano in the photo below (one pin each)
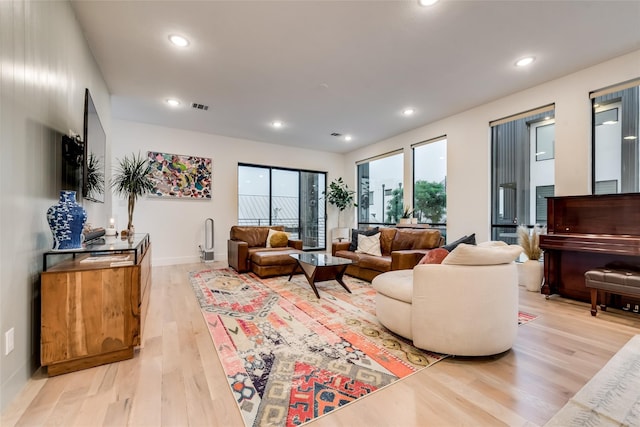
(619, 282)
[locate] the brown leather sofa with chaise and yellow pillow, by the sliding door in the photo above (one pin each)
(247, 251)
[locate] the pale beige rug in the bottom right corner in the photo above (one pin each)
(611, 397)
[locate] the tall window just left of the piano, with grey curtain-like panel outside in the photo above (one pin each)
(523, 152)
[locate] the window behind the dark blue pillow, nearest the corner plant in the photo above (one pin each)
(380, 193)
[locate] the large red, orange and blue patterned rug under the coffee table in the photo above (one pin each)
(290, 357)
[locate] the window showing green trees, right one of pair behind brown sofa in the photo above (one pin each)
(430, 183)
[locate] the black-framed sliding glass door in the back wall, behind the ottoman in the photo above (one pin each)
(288, 197)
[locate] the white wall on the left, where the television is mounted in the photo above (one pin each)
(45, 67)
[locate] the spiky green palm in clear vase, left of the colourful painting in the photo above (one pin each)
(131, 180)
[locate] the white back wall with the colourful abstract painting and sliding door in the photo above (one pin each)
(176, 226)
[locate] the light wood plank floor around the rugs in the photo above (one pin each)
(176, 378)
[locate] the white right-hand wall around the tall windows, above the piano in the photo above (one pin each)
(469, 143)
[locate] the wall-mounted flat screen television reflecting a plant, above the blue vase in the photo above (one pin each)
(95, 141)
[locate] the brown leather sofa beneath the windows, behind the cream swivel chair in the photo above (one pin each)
(401, 248)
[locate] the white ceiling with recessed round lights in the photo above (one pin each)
(339, 66)
